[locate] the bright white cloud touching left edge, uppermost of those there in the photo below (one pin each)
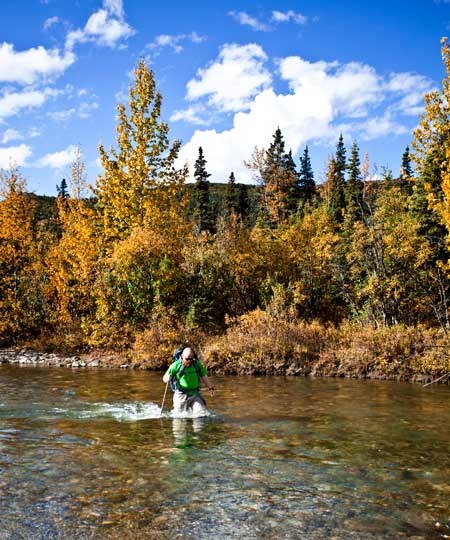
(27, 67)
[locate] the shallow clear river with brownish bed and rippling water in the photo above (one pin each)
(85, 454)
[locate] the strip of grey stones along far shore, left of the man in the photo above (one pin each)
(26, 358)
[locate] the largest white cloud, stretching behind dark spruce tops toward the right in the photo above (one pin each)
(323, 98)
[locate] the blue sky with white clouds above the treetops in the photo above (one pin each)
(230, 73)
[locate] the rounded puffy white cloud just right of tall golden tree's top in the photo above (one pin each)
(233, 79)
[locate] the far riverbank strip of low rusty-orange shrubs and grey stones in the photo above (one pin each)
(263, 345)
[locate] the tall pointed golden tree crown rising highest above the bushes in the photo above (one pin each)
(140, 183)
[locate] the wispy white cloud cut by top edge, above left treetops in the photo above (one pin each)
(105, 27)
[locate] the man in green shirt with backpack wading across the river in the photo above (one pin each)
(185, 374)
